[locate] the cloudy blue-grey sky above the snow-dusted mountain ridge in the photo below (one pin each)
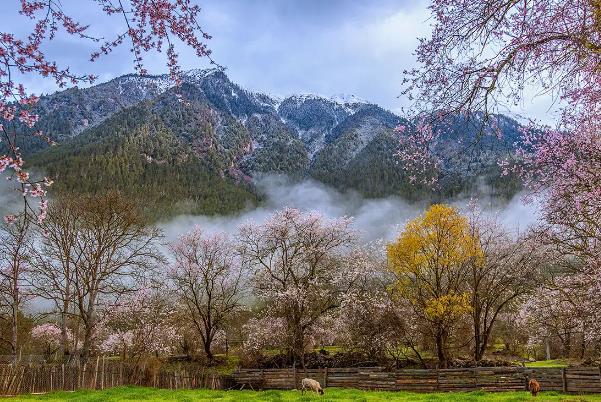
(281, 47)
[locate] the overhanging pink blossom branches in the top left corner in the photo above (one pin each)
(144, 25)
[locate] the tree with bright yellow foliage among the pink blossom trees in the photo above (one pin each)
(431, 259)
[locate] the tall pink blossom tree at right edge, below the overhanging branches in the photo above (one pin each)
(563, 169)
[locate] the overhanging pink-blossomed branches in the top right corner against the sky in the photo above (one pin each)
(483, 55)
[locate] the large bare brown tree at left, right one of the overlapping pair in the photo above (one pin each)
(116, 246)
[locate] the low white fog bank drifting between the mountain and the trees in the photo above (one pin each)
(380, 218)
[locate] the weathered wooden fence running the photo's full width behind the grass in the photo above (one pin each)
(100, 374)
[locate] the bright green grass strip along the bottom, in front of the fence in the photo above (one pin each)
(333, 394)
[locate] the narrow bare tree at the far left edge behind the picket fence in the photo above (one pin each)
(15, 254)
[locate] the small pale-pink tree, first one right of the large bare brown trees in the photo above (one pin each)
(207, 278)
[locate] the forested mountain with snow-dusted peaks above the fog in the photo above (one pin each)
(195, 148)
